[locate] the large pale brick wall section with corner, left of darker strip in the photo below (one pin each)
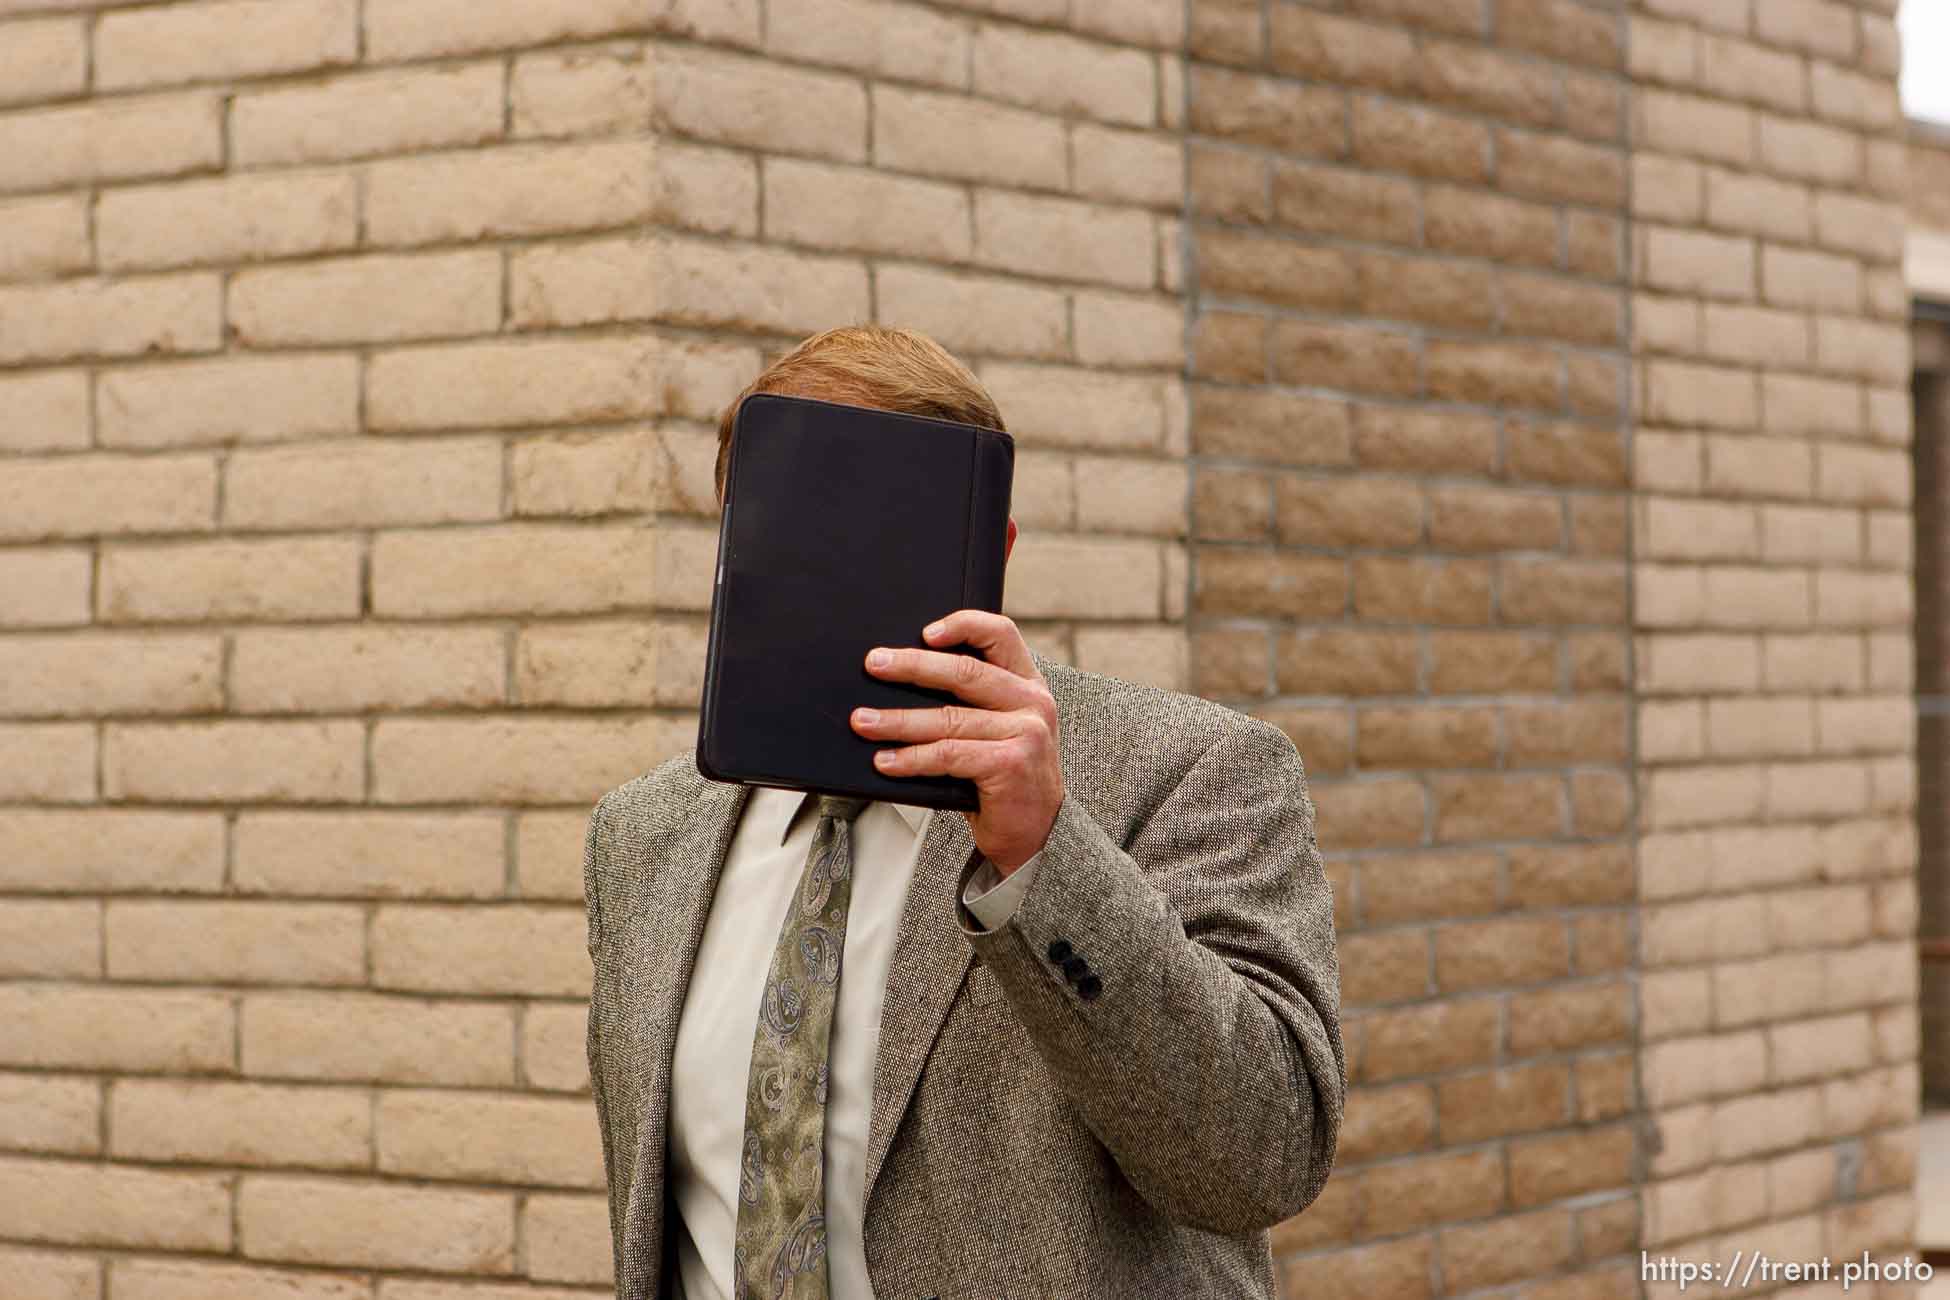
(360, 369)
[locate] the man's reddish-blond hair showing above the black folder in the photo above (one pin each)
(871, 365)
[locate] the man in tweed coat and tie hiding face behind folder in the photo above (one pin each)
(1083, 1042)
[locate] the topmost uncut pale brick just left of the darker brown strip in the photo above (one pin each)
(1066, 75)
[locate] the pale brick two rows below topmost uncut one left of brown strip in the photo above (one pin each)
(1064, 239)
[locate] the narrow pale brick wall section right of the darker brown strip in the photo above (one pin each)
(1774, 617)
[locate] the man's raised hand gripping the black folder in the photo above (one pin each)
(1007, 744)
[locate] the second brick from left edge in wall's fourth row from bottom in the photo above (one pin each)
(373, 1038)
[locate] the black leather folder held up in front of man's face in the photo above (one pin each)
(843, 529)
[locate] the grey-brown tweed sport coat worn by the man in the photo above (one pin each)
(1029, 1141)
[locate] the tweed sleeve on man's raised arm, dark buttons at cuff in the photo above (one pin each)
(1185, 991)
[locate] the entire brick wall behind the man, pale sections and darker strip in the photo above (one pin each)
(1502, 397)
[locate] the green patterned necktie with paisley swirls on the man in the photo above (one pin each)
(781, 1190)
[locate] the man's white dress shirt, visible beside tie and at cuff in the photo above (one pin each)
(721, 1018)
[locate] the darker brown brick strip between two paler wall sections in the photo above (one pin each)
(1409, 440)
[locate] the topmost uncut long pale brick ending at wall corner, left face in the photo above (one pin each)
(510, 192)
